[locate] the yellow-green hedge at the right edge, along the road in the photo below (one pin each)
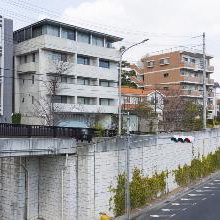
(197, 169)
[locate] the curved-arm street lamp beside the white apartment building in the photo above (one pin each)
(123, 50)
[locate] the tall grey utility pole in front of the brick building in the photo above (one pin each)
(204, 83)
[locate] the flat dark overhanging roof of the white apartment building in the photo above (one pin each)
(58, 23)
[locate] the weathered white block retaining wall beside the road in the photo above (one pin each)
(89, 173)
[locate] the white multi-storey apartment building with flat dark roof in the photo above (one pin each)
(84, 60)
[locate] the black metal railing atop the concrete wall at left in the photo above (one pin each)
(21, 130)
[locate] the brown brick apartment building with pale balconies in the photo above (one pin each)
(178, 73)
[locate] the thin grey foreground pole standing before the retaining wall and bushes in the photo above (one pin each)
(127, 190)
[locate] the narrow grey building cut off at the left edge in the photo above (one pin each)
(6, 69)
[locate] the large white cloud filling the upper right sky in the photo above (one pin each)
(166, 23)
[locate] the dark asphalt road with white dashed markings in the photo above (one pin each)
(201, 203)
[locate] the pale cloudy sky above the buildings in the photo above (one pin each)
(168, 24)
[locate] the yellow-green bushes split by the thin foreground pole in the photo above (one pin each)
(142, 190)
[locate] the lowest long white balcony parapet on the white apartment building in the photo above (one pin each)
(78, 108)
